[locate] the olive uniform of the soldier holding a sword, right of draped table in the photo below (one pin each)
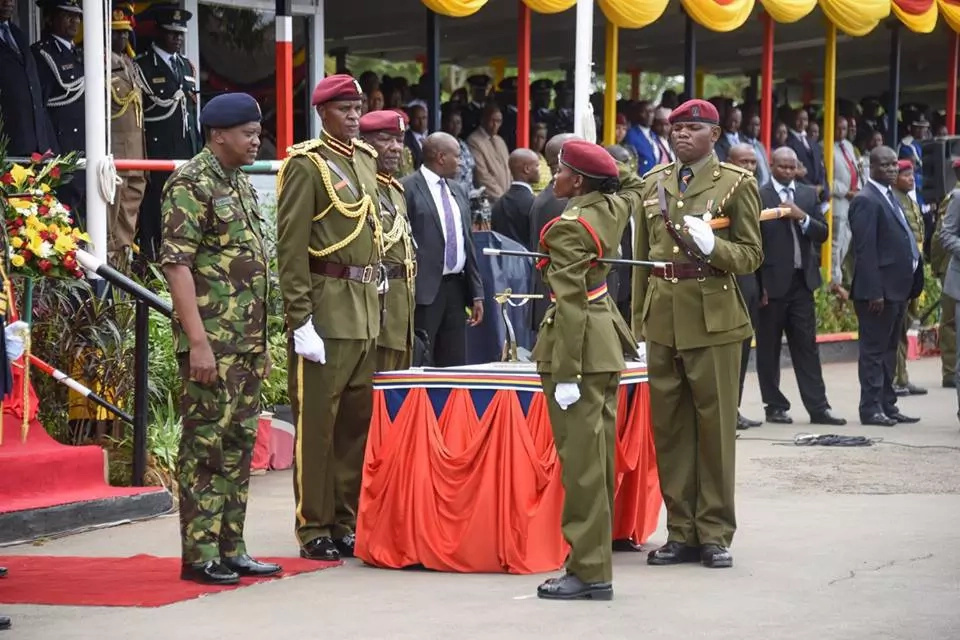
(694, 329)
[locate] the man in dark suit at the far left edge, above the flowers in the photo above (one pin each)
(25, 119)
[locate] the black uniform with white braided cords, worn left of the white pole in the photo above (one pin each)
(60, 66)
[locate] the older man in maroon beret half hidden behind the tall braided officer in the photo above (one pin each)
(384, 131)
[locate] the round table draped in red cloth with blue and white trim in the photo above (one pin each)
(461, 472)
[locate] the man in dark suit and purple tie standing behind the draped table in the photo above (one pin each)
(448, 279)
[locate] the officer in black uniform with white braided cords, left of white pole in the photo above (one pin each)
(60, 68)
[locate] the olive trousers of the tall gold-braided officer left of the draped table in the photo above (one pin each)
(332, 404)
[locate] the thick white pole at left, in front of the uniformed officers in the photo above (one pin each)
(95, 57)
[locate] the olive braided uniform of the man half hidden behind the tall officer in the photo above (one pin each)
(395, 343)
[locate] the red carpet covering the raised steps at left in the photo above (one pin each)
(44, 473)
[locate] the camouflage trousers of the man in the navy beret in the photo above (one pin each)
(219, 430)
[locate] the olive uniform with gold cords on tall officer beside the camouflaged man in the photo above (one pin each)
(327, 221)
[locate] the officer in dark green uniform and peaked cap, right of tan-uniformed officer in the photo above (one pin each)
(170, 94)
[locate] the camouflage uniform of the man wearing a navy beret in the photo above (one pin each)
(211, 224)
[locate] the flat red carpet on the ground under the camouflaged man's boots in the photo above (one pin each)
(140, 581)
